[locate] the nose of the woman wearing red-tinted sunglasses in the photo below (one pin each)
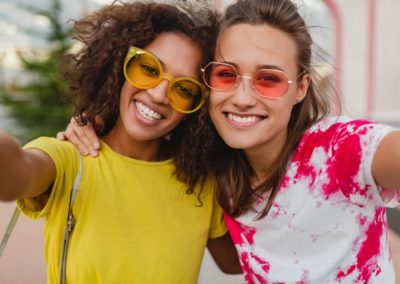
(244, 94)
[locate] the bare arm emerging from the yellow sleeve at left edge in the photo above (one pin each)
(23, 173)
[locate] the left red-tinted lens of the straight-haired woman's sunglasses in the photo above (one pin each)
(220, 76)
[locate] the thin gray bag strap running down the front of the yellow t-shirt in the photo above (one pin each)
(70, 223)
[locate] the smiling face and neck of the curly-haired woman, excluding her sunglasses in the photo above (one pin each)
(146, 115)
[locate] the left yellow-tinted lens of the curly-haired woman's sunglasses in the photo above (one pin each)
(143, 71)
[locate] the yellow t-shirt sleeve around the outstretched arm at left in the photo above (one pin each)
(66, 160)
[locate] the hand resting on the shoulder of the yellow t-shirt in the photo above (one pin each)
(83, 137)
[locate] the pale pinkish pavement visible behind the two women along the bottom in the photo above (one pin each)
(22, 261)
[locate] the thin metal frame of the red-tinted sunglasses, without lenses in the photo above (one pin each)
(236, 84)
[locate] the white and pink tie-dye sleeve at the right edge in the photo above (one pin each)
(356, 144)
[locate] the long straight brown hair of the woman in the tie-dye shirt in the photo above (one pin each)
(230, 166)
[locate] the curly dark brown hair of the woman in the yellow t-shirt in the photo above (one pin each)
(95, 72)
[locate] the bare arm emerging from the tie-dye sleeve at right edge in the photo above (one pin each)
(386, 163)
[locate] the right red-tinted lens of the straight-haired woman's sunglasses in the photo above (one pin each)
(271, 83)
